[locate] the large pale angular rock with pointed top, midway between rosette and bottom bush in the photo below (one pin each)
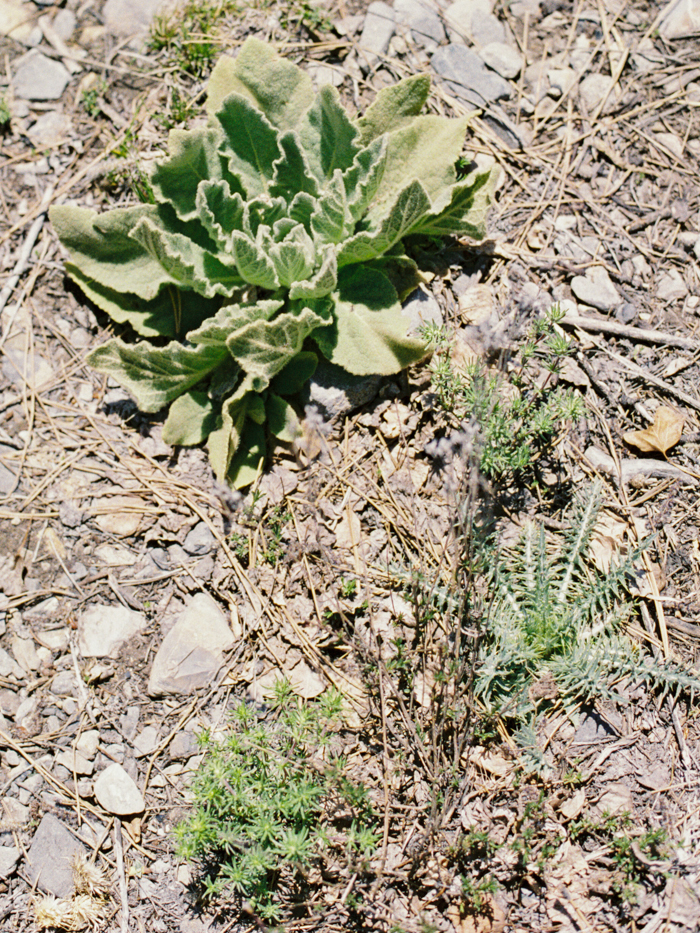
(192, 652)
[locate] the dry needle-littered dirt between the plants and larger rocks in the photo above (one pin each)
(95, 507)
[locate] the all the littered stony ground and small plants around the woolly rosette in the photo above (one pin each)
(437, 670)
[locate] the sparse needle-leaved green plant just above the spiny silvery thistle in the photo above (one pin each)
(515, 416)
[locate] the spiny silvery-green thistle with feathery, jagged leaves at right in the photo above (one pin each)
(554, 634)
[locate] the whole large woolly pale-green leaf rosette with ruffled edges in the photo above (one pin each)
(278, 233)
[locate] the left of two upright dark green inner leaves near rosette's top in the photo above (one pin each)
(250, 143)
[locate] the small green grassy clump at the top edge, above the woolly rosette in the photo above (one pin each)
(189, 34)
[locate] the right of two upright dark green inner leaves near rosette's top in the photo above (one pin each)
(327, 135)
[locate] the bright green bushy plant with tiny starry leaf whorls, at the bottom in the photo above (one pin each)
(263, 803)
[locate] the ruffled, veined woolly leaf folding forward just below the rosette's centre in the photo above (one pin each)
(263, 348)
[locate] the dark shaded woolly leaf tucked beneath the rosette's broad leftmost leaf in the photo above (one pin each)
(173, 311)
